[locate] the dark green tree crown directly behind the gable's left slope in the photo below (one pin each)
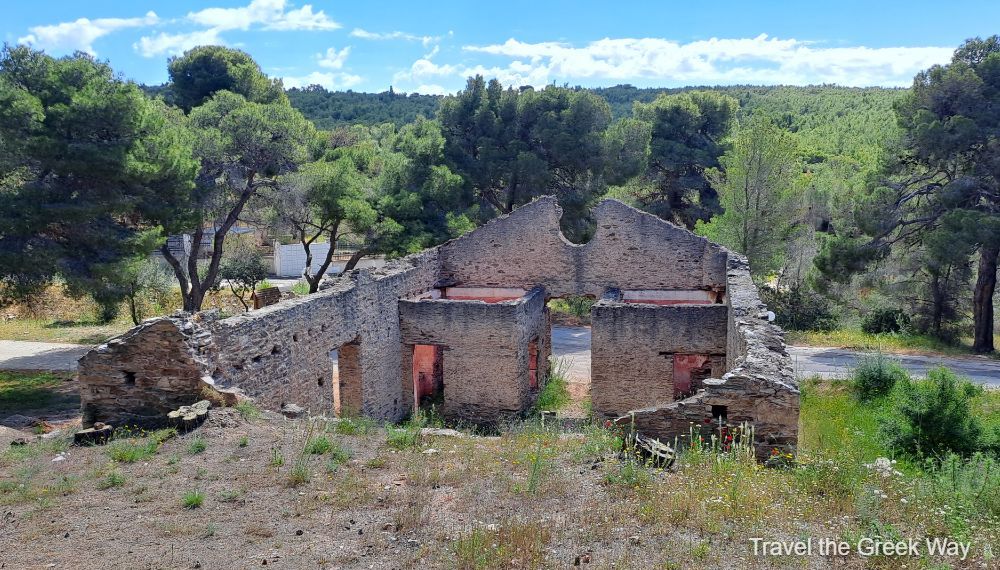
(511, 146)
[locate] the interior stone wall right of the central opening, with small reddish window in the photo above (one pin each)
(633, 345)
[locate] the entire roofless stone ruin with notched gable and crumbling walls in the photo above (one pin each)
(679, 335)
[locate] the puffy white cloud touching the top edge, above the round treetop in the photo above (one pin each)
(269, 14)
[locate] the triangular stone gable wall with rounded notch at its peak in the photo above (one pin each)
(527, 249)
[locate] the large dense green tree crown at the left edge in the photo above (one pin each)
(87, 166)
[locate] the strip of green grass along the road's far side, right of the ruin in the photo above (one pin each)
(857, 339)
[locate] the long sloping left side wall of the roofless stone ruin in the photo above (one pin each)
(277, 355)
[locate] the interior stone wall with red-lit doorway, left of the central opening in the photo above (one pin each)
(486, 351)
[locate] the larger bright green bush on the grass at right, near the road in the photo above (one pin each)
(934, 416)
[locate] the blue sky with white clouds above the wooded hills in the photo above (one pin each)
(433, 46)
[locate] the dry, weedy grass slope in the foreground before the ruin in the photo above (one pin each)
(531, 498)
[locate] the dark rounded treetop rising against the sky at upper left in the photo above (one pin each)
(205, 70)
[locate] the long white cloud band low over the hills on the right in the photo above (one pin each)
(730, 61)
